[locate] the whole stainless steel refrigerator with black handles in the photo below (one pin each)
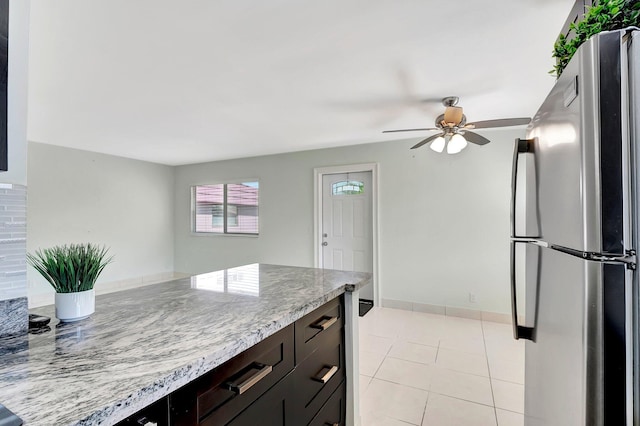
(573, 243)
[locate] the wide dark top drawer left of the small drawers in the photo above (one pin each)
(223, 393)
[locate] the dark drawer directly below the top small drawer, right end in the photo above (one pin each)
(319, 375)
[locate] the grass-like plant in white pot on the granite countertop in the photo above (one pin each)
(72, 271)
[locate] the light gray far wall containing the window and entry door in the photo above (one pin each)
(444, 220)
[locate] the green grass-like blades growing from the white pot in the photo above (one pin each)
(70, 268)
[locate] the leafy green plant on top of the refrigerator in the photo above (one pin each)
(606, 15)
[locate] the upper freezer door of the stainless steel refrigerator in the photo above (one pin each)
(576, 143)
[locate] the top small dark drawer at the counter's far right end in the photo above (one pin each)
(311, 327)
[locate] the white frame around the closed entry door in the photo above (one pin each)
(318, 173)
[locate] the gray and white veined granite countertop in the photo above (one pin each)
(142, 344)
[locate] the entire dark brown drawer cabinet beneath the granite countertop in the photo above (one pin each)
(294, 377)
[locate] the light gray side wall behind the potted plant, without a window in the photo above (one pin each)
(79, 196)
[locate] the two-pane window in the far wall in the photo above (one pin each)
(226, 208)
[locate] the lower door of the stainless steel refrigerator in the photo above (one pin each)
(576, 364)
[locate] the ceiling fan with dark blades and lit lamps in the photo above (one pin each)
(455, 131)
